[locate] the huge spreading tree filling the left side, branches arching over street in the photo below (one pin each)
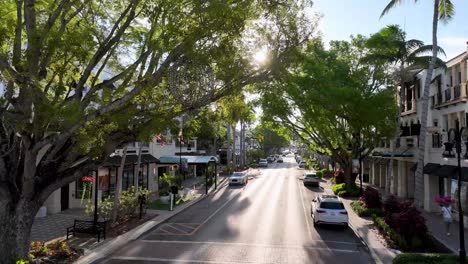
(80, 78)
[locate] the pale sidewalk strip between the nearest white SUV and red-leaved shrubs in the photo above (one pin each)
(364, 229)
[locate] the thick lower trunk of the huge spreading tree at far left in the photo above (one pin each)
(16, 220)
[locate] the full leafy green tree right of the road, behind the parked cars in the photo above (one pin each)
(325, 101)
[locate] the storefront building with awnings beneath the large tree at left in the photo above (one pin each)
(162, 155)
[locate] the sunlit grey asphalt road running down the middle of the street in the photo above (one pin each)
(267, 221)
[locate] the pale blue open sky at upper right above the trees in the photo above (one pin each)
(342, 18)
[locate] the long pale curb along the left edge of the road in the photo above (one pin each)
(114, 244)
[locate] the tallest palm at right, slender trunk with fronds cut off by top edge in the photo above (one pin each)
(443, 11)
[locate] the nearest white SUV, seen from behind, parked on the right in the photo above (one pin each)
(328, 209)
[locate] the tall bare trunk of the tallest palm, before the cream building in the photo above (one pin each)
(419, 189)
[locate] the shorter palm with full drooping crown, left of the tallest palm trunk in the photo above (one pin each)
(390, 45)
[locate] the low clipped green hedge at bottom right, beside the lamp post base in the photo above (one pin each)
(414, 258)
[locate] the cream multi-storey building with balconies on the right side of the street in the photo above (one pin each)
(447, 106)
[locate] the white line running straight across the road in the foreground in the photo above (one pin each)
(252, 244)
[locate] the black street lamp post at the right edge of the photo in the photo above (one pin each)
(455, 135)
